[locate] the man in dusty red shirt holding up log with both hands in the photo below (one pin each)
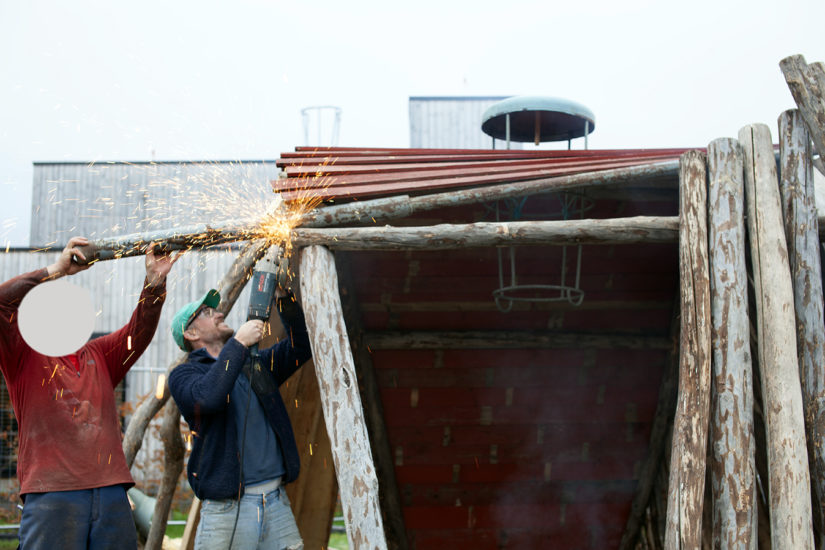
(72, 471)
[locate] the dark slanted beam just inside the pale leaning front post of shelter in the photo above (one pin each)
(391, 506)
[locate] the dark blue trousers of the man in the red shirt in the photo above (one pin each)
(90, 519)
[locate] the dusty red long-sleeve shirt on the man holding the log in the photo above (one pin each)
(69, 432)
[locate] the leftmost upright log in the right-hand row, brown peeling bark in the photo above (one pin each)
(690, 428)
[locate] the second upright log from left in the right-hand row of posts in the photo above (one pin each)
(732, 444)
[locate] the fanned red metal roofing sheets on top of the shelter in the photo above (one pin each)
(359, 173)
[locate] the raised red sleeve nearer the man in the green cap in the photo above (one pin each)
(123, 348)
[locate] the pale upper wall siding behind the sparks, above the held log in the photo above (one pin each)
(116, 198)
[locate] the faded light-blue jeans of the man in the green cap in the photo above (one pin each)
(265, 522)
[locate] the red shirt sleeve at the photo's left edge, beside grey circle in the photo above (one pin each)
(12, 293)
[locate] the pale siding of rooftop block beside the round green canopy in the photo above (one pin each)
(451, 122)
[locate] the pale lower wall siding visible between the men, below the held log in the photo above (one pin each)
(115, 287)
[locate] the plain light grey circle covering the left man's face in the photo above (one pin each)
(56, 318)
